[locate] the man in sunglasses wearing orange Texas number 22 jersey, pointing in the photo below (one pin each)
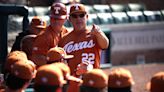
(84, 43)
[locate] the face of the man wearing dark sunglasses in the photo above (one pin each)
(78, 20)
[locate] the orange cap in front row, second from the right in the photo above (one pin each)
(119, 78)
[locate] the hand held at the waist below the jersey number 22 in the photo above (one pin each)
(83, 68)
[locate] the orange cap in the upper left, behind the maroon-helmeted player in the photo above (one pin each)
(37, 22)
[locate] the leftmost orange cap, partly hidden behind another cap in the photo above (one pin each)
(13, 57)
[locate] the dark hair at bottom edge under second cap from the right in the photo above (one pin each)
(124, 89)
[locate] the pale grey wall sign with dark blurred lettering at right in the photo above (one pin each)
(137, 40)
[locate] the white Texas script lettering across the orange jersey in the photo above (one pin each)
(71, 46)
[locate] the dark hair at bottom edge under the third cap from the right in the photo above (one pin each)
(92, 89)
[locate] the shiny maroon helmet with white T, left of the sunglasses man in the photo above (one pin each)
(58, 11)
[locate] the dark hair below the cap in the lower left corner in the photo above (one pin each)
(14, 82)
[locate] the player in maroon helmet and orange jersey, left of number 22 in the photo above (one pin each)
(53, 33)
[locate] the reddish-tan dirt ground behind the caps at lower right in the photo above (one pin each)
(141, 74)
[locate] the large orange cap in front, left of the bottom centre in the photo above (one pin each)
(49, 75)
